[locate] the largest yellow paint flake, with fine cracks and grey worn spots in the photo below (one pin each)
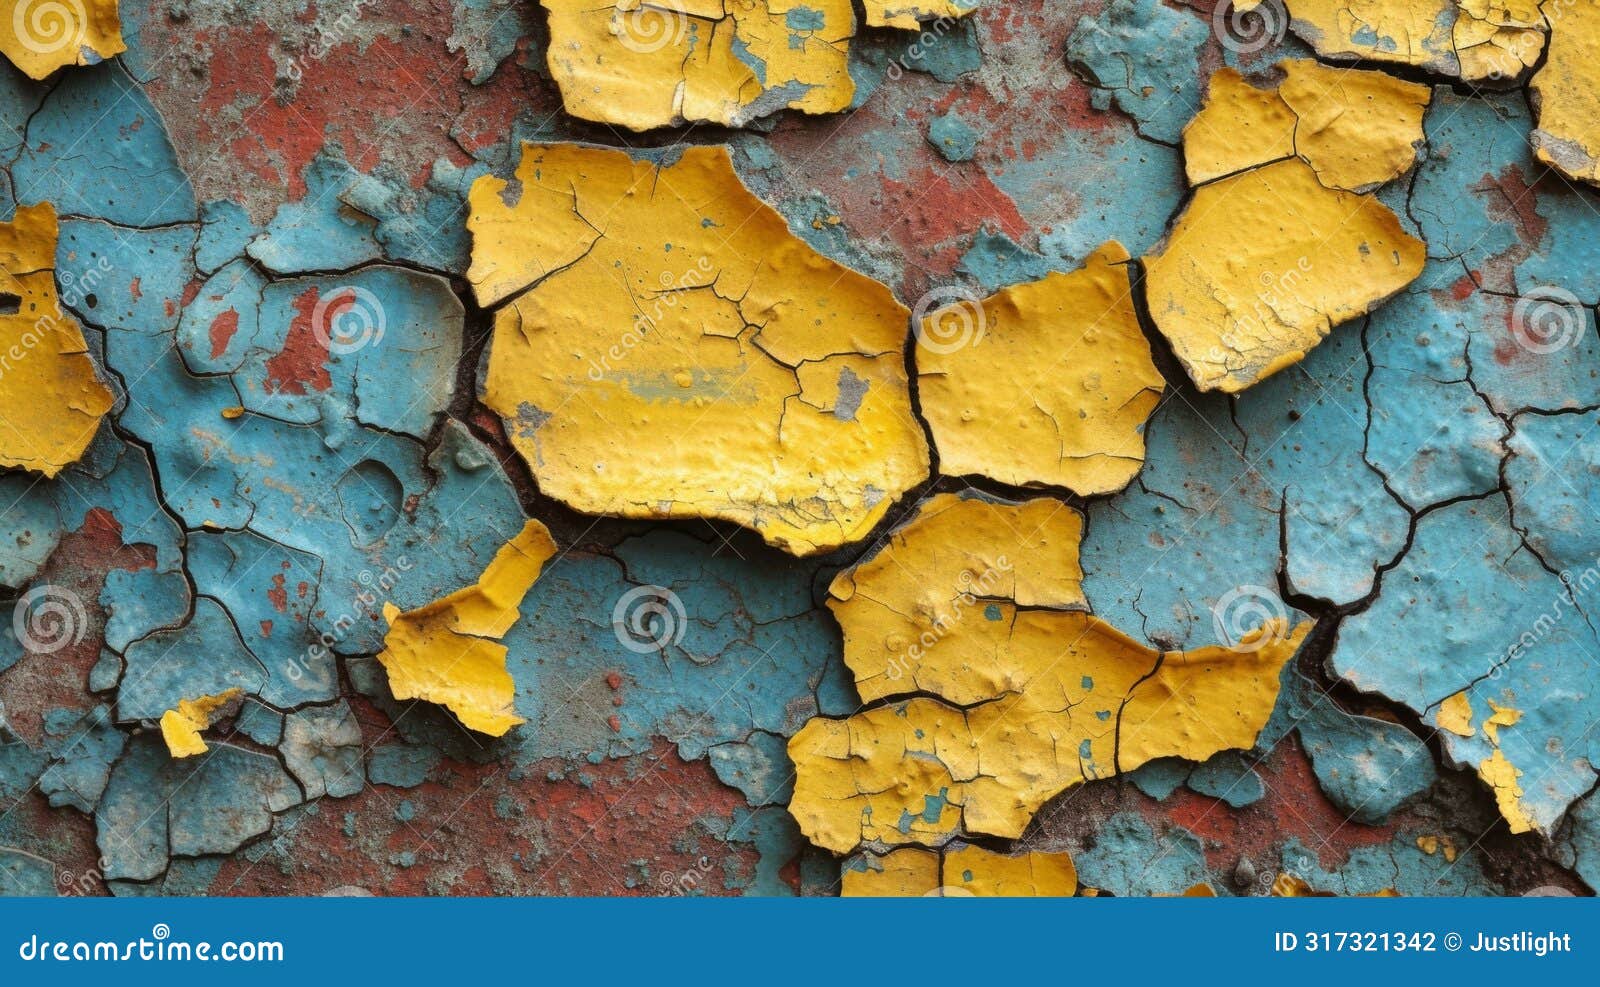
(671, 350)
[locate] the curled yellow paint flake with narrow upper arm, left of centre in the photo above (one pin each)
(449, 653)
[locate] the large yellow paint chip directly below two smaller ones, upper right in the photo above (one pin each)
(1265, 263)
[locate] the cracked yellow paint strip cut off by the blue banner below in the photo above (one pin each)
(962, 873)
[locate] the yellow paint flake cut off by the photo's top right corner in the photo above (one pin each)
(1567, 94)
